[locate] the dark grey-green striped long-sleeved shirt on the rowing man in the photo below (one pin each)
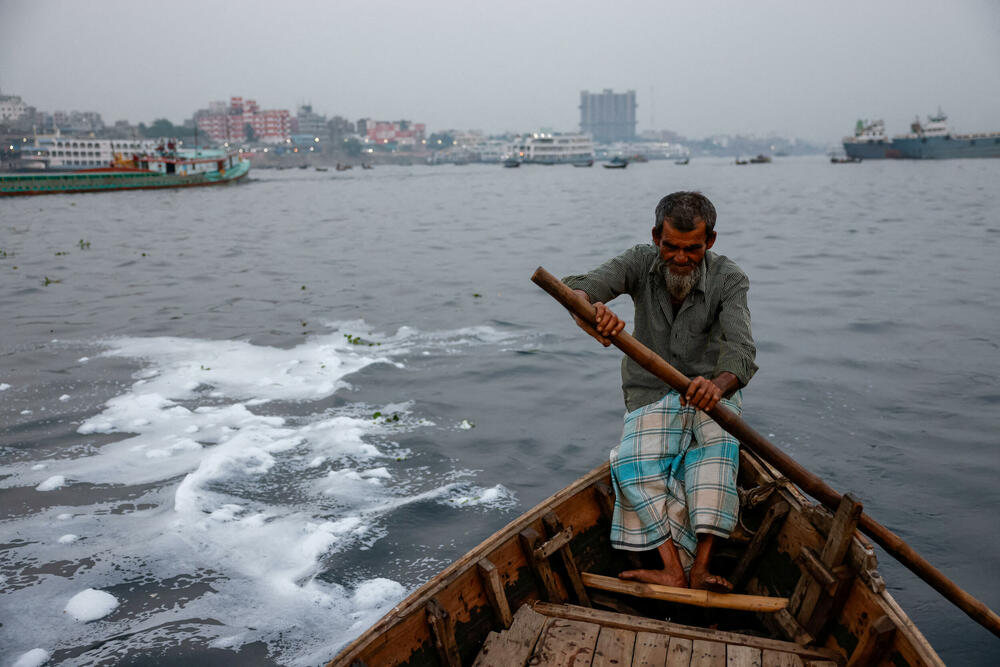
(709, 334)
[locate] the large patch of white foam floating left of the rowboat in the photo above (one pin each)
(245, 492)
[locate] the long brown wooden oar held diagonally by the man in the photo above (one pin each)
(807, 481)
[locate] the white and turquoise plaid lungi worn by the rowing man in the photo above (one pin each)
(674, 475)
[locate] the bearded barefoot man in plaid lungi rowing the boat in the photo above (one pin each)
(675, 470)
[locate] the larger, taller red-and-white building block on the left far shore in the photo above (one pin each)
(243, 122)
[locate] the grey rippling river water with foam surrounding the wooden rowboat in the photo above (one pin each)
(258, 416)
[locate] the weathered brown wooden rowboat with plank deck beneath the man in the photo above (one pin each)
(543, 591)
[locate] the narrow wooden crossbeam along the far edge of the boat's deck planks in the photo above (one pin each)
(642, 624)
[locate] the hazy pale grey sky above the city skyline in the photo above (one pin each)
(796, 68)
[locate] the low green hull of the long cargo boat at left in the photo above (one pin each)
(107, 180)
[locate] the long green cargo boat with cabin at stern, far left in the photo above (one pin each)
(164, 167)
